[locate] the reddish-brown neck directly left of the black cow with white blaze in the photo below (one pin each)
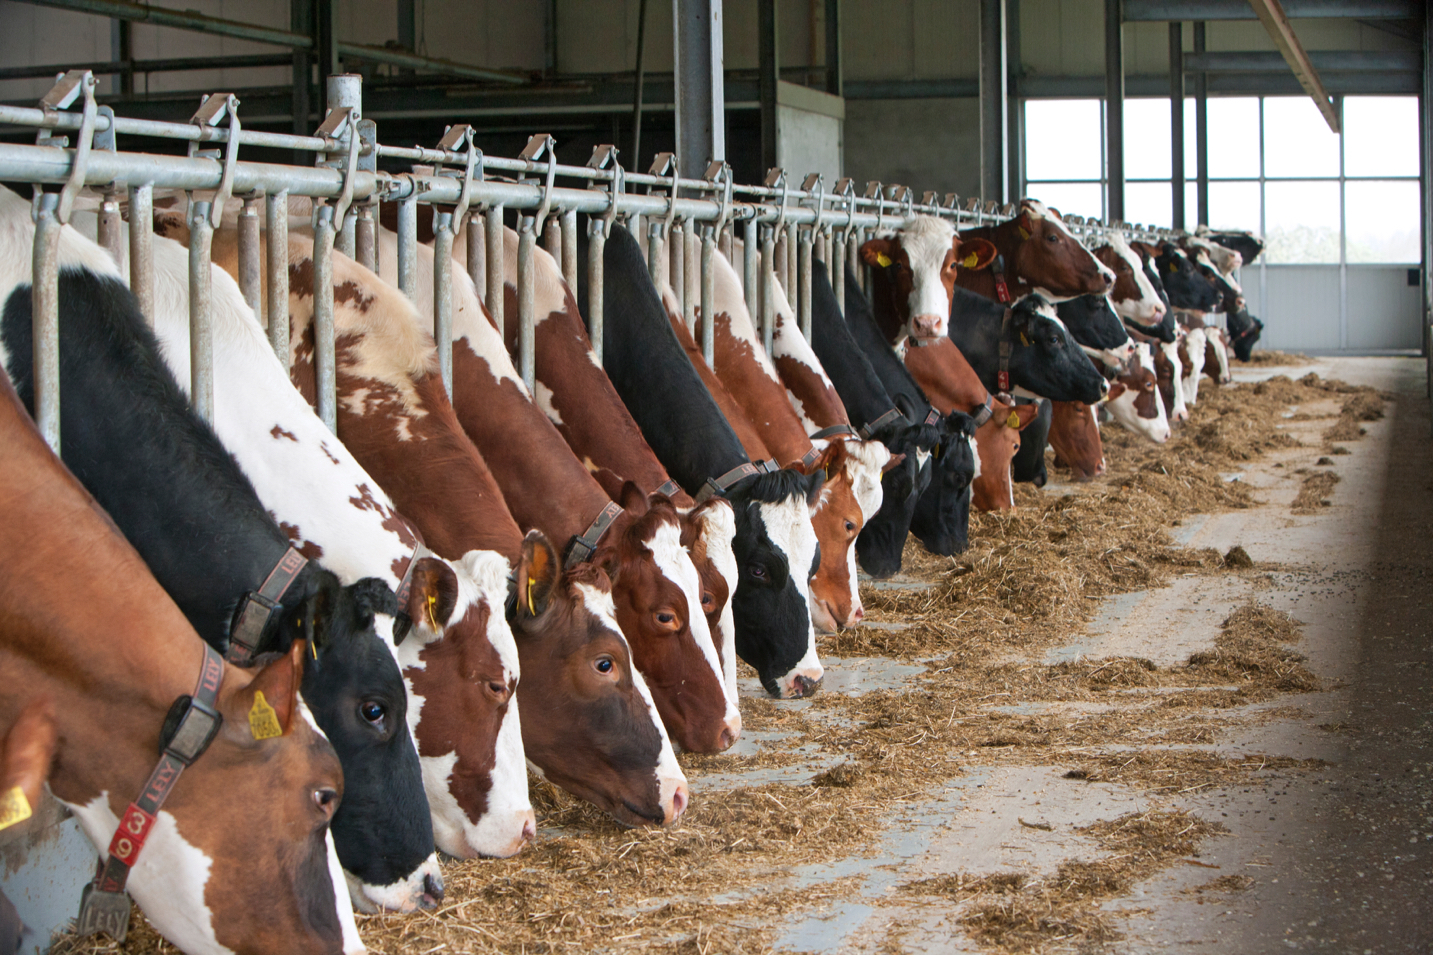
(584, 405)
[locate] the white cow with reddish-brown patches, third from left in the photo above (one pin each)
(340, 514)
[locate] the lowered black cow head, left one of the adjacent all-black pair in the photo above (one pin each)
(908, 477)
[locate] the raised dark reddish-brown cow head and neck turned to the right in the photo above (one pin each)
(1034, 253)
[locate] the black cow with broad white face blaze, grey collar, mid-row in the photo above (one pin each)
(775, 544)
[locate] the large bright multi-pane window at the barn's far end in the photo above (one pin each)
(1275, 168)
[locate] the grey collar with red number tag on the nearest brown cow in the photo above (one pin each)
(197, 721)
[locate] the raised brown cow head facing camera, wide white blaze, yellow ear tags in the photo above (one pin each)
(916, 275)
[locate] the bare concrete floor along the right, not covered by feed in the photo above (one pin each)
(1342, 857)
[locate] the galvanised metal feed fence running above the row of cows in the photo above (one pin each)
(783, 227)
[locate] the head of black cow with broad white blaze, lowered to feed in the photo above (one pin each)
(777, 556)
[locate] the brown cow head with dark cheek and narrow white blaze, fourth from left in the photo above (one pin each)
(591, 726)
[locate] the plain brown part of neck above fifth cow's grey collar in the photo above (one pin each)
(544, 484)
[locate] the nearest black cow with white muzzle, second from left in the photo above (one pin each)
(181, 500)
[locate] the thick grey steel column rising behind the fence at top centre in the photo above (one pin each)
(701, 104)
